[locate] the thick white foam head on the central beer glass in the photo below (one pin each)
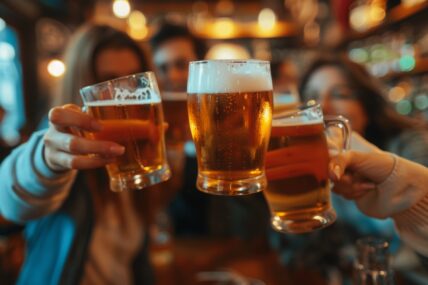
(221, 77)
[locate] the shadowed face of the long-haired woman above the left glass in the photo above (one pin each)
(111, 63)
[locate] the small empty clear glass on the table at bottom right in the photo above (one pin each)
(372, 266)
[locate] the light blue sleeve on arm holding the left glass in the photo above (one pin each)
(28, 188)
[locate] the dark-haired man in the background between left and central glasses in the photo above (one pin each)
(173, 47)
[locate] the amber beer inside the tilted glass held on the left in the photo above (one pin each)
(137, 127)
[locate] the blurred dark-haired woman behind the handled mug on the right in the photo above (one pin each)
(346, 88)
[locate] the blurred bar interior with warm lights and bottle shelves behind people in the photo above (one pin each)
(389, 37)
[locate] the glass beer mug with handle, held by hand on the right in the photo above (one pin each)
(297, 162)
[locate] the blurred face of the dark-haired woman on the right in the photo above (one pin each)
(330, 87)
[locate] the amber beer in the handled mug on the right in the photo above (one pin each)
(297, 171)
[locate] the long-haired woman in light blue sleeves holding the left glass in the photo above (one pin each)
(77, 230)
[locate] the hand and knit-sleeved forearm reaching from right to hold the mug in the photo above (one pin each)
(400, 192)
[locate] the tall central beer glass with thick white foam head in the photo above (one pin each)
(230, 114)
